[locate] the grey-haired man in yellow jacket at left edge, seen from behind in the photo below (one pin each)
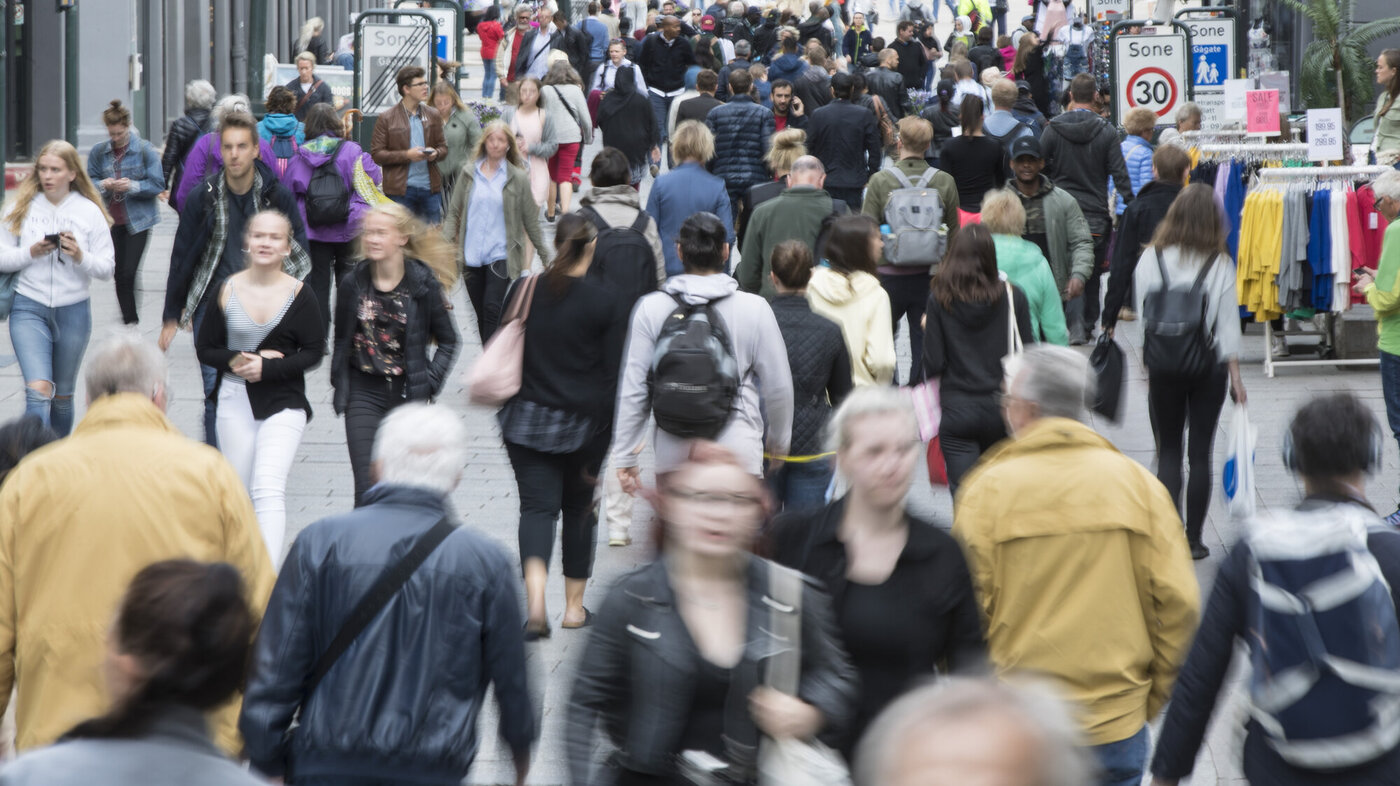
(80, 518)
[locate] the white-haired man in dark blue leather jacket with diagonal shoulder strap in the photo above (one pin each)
(386, 628)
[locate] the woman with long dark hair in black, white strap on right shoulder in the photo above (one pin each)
(975, 320)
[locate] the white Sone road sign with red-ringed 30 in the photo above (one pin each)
(1151, 71)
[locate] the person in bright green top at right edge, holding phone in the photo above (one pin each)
(1382, 291)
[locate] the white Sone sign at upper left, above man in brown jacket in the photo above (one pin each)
(387, 41)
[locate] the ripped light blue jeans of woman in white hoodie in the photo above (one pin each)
(50, 344)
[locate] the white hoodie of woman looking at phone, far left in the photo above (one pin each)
(54, 280)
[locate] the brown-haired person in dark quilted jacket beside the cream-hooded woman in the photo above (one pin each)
(821, 379)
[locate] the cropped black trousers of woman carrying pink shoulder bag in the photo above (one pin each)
(554, 484)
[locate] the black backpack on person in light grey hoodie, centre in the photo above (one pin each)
(695, 376)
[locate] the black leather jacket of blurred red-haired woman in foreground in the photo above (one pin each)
(638, 675)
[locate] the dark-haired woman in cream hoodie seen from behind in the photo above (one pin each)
(848, 292)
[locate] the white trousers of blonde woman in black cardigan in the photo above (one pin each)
(262, 453)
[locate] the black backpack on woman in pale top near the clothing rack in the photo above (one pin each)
(1177, 334)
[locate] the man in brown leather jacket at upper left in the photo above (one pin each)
(408, 144)
